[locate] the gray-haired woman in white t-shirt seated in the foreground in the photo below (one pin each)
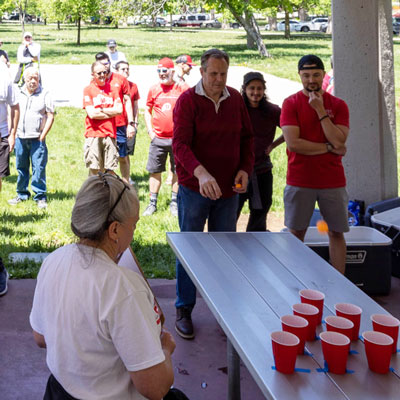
(96, 319)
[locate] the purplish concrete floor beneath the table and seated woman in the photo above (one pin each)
(200, 365)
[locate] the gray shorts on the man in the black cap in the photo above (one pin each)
(300, 204)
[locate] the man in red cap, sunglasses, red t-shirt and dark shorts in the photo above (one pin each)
(160, 104)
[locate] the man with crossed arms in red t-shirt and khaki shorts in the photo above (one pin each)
(102, 105)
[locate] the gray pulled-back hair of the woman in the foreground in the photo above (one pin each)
(99, 195)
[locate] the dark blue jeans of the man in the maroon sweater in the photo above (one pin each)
(193, 211)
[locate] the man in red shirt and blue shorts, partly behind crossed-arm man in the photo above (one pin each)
(126, 147)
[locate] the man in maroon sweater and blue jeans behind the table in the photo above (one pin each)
(213, 149)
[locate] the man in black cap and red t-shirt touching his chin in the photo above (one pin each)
(315, 125)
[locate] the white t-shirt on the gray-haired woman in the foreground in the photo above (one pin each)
(98, 321)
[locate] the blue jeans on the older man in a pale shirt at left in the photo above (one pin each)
(29, 151)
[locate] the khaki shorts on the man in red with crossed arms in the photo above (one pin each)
(101, 153)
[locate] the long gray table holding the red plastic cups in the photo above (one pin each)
(249, 280)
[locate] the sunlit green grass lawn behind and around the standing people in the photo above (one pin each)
(25, 228)
